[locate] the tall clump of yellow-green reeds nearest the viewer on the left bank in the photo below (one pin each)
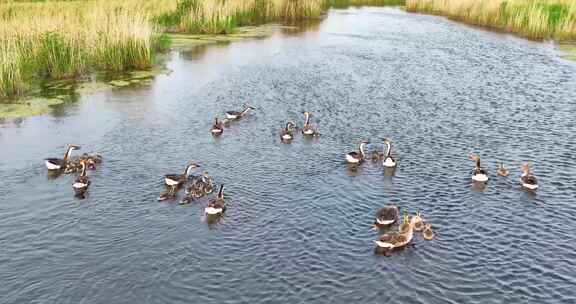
(65, 39)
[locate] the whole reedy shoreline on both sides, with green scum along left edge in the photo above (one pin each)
(41, 42)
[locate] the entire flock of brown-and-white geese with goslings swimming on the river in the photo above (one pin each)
(393, 236)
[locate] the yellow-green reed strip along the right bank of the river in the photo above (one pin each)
(536, 19)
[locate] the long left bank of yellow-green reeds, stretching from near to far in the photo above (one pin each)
(42, 40)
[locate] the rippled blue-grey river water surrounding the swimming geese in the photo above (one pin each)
(297, 229)
